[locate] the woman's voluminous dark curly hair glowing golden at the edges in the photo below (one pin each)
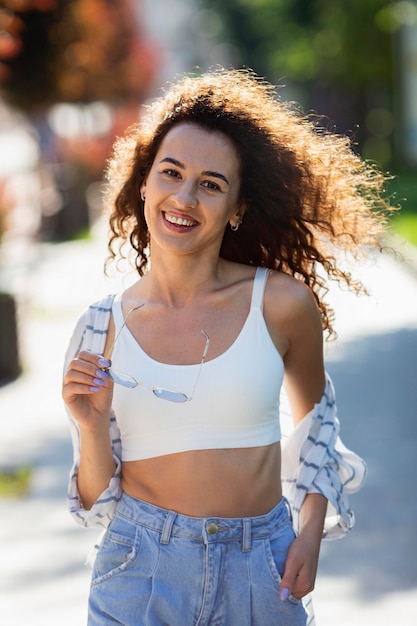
(307, 193)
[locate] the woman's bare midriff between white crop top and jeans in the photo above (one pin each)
(242, 482)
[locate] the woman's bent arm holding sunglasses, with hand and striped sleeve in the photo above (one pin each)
(94, 486)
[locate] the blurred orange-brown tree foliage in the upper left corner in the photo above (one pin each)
(71, 51)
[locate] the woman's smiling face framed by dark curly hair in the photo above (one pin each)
(192, 190)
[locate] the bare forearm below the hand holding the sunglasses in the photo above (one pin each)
(96, 466)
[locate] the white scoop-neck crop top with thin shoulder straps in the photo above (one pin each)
(235, 403)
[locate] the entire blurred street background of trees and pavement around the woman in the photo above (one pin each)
(73, 75)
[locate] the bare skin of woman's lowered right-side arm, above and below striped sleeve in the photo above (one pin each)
(298, 323)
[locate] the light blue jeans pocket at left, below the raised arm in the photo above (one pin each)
(118, 550)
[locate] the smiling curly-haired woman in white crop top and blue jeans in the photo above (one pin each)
(234, 206)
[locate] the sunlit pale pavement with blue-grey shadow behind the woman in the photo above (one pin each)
(369, 578)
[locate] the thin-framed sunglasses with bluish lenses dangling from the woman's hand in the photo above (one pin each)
(126, 380)
